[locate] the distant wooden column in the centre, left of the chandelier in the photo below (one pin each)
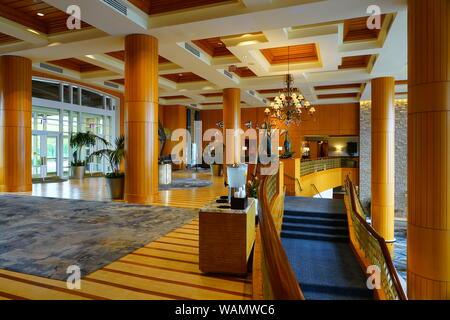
(232, 120)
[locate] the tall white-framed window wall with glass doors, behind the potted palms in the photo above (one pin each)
(54, 123)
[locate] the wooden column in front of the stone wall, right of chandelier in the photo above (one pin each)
(383, 158)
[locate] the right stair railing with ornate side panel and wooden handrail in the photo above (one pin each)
(371, 247)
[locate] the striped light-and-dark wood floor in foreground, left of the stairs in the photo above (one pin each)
(165, 269)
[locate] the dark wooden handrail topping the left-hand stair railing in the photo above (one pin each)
(279, 282)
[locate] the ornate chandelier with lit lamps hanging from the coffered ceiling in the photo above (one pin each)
(289, 105)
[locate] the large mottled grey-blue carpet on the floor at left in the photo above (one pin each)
(43, 236)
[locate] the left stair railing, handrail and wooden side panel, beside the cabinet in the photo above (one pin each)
(273, 277)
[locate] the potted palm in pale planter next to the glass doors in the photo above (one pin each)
(77, 142)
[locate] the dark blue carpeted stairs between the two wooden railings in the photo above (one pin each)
(315, 237)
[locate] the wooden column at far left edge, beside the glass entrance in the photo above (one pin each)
(15, 124)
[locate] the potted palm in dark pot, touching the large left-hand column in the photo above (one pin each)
(115, 179)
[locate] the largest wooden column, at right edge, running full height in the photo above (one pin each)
(429, 150)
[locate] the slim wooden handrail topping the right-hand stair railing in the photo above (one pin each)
(380, 240)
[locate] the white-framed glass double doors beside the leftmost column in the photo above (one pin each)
(45, 154)
